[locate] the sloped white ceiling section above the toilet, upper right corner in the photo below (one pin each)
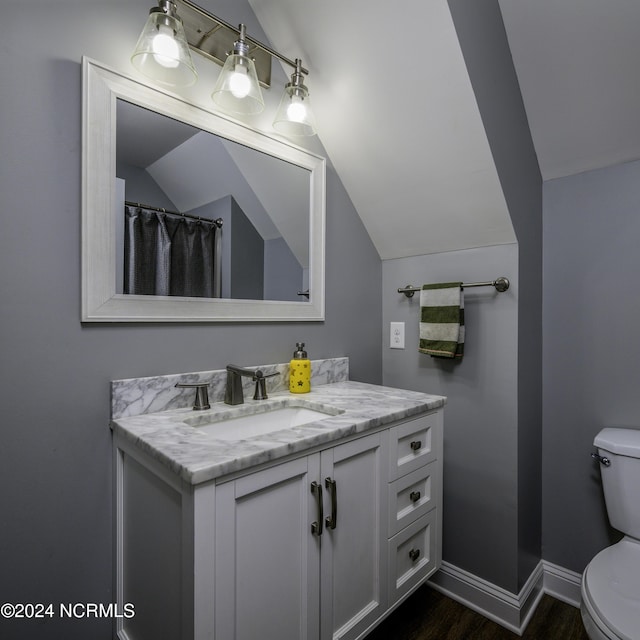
(578, 64)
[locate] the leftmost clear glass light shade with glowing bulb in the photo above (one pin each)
(162, 52)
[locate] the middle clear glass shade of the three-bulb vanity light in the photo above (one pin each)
(237, 89)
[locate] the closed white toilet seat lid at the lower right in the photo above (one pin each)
(611, 590)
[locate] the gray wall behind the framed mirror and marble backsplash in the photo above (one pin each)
(55, 454)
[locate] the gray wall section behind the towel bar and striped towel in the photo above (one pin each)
(481, 416)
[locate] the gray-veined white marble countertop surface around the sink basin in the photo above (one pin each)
(198, 456)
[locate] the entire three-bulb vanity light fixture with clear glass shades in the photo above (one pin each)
(246, 64)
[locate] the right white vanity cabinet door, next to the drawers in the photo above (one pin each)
(353, 563)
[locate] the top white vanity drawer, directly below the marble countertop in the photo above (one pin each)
(413, 444)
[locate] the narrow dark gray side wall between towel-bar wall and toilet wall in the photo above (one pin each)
(488, 58)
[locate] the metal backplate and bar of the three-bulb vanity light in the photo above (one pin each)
(214, 38)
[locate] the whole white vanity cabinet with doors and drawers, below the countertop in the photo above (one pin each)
(318, 545)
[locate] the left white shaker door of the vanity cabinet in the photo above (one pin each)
(267, 560)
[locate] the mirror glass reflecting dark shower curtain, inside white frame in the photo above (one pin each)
(200, 215)
